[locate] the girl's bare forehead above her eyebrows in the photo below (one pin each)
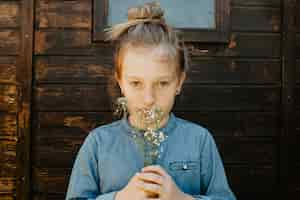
(148, 62)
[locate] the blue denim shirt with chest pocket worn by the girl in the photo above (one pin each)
(109, 157)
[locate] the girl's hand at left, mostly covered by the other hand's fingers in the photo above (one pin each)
(131, 190)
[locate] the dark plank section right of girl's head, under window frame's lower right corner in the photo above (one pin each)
(257, 45)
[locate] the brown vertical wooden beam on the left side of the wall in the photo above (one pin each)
(24, 80)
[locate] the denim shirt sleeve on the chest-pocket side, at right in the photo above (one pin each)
(213, 177)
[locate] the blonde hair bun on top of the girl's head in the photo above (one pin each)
(150, 10)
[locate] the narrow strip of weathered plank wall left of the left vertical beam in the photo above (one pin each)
(9, 52)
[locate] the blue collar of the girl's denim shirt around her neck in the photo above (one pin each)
(167, 129)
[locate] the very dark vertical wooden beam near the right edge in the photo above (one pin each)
(287, 137)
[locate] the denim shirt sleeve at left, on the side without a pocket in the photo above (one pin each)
(84, 179)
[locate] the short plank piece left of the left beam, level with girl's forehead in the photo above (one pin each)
(8, 69)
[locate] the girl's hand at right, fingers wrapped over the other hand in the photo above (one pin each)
(157, 181)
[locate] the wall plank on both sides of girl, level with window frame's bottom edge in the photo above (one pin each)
(78, 42)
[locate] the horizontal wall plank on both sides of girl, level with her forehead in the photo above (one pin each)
(82, 69)
